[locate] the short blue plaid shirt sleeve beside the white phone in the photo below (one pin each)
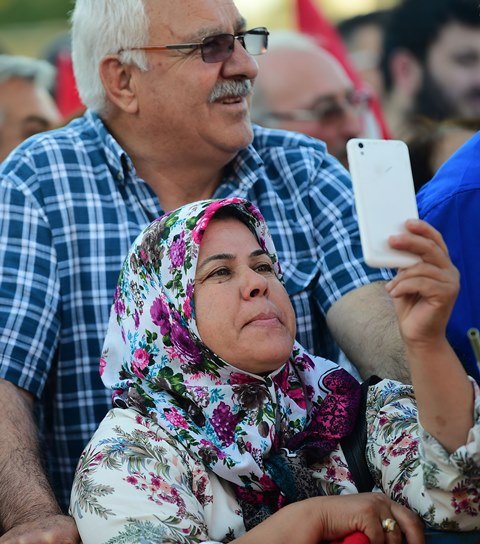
(338, 238)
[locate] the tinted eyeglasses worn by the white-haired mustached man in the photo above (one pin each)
(218, 48)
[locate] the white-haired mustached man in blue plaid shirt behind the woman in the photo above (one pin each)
(166, 85)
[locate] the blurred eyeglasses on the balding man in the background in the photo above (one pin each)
(328, 110)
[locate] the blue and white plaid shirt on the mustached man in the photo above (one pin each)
(70, 206)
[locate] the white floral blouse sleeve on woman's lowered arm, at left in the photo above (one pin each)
(135, 484)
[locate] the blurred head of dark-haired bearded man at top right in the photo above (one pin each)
(431, 62)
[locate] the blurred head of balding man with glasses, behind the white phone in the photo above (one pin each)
(302, 87)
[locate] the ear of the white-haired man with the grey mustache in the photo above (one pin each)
(117, 81)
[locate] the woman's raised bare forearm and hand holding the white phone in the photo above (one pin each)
(424, 295)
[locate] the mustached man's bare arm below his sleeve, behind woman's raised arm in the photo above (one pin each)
(364, 324)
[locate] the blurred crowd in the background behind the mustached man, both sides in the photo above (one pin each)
(418, 62)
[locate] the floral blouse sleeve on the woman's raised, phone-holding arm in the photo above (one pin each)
(414, 469)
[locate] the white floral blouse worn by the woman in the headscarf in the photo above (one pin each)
(136, 484)
